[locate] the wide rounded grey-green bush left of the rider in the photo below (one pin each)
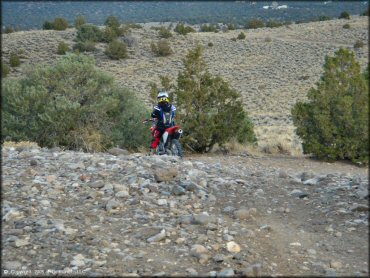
(72, 104)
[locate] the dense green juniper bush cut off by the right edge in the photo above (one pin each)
(334, 123)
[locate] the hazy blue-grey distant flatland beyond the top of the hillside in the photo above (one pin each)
(32, 14)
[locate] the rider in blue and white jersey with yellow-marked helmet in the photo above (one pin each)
(164, 113)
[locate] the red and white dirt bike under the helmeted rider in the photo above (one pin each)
(169, 143)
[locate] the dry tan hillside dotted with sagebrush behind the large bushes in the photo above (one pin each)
(272, 68)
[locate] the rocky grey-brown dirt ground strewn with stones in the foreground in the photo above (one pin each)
(124, 214)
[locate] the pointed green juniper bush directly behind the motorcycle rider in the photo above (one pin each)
(212, 112)
